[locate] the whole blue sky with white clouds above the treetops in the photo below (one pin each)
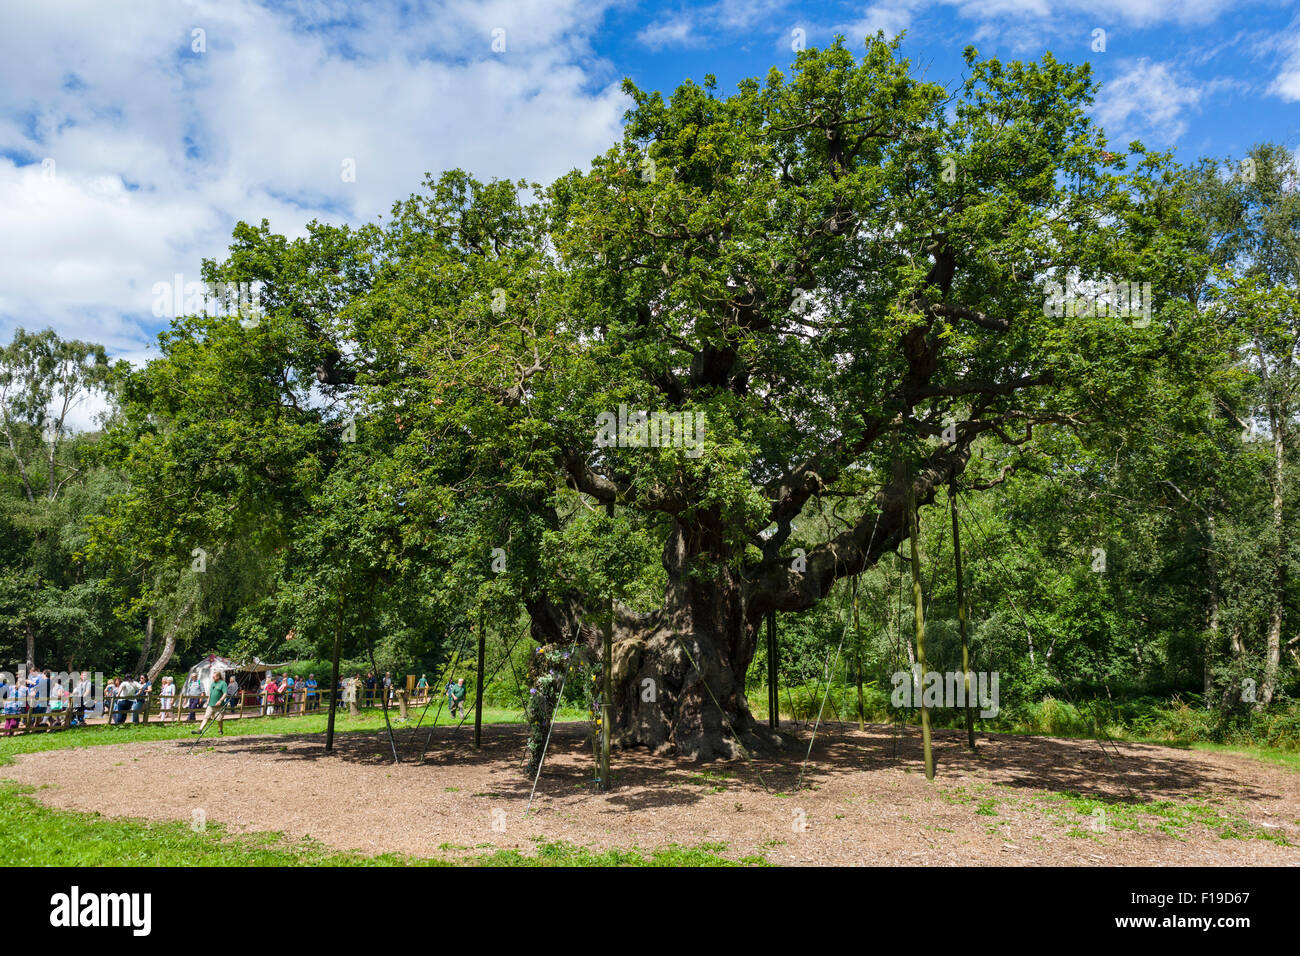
(132, 144)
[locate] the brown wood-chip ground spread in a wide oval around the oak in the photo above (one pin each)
(861, 804)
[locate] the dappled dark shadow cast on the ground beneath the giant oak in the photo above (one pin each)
(1113, 772)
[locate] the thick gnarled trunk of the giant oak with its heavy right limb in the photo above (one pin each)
(679, 673)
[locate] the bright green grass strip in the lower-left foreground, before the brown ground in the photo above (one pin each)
(63, 838)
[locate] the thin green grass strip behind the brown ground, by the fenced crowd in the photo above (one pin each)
(99, 736)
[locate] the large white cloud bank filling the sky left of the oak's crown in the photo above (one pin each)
(158, 152)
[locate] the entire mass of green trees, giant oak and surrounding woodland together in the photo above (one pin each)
(847, 271)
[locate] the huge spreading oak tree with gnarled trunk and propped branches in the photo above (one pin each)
(842, 269)
